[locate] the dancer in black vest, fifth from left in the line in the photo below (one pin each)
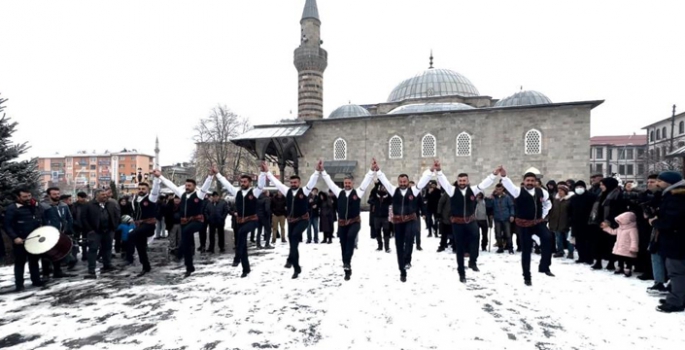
(349, 210)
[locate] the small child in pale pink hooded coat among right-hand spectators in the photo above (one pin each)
(626, 247)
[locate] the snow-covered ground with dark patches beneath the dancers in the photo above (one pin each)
(216, 309)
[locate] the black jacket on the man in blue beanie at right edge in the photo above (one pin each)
(670, 222)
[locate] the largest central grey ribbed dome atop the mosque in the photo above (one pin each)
(433, 82)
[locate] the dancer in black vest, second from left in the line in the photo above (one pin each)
(192, 217)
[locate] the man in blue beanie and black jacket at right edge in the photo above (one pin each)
(670, 223)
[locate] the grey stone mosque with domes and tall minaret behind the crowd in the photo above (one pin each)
(438, 113)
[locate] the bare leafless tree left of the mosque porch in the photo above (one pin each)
(214, 147)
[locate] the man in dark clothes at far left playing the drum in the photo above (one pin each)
(21, 218)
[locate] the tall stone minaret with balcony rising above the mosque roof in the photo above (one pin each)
(311, 61)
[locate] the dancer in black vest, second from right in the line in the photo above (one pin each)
(463, 215)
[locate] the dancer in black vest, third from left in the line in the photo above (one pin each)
(246, 220)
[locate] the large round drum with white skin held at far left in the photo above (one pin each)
(48, 241)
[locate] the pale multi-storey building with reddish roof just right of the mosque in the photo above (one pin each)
(623, 155)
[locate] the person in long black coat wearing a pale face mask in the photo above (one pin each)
(579, 210)
